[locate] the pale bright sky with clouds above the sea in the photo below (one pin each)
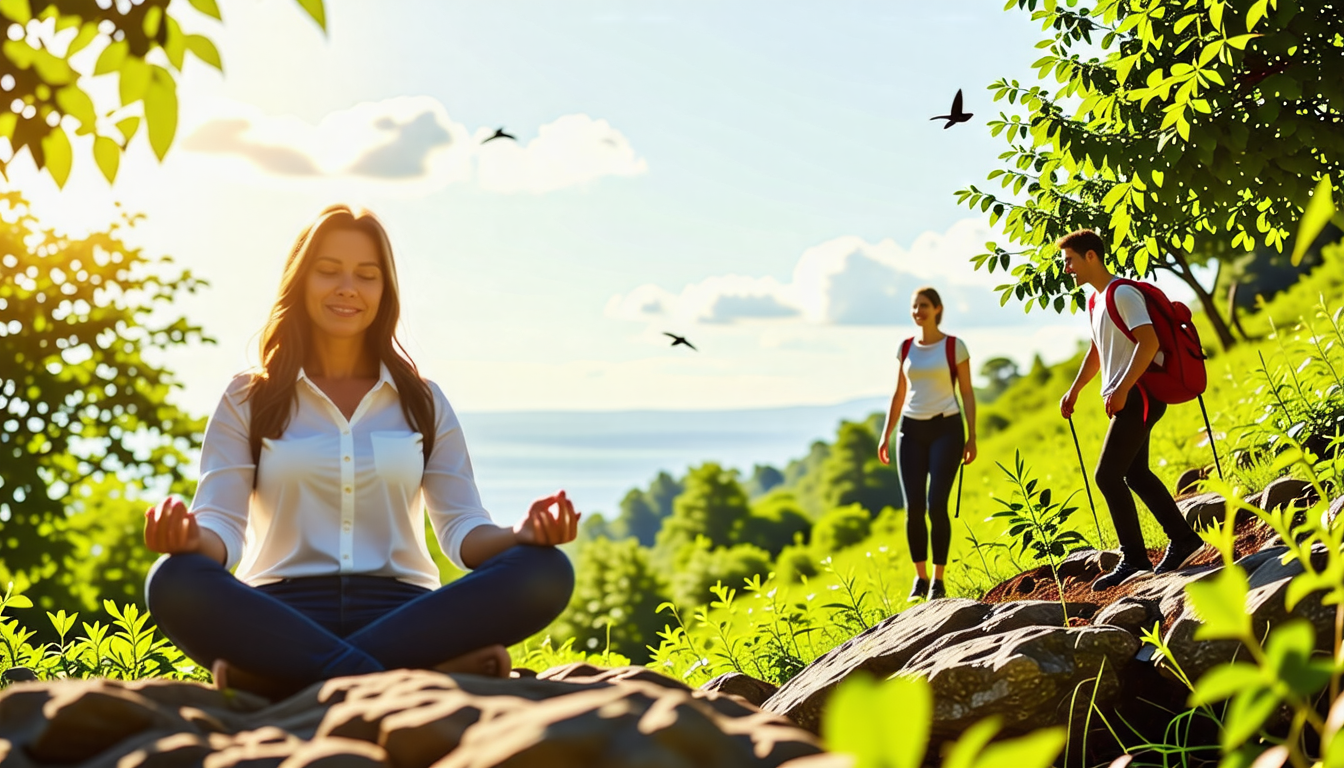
(760, 177)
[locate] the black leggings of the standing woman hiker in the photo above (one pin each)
(929, 455)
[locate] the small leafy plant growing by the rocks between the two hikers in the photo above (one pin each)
(1037, 524)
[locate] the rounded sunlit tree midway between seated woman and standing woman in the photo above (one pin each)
(712, 506)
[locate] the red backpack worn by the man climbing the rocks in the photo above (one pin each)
(1182, 377)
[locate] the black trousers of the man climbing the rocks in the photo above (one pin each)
(1123, 467)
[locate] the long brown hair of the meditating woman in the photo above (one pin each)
(286, 341)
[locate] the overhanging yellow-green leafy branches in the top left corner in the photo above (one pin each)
(143, 45)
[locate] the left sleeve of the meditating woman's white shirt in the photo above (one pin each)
(226, 473)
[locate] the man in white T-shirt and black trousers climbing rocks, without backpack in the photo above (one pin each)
(1124, 457)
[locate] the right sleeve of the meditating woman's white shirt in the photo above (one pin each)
(451, 496)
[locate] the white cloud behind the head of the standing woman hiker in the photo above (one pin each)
(843, 282)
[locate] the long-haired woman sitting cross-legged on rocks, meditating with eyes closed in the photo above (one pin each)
(314, 479)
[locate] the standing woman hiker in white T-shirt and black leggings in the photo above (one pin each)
(932, 443)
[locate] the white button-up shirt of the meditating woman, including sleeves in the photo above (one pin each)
(333, 496)
